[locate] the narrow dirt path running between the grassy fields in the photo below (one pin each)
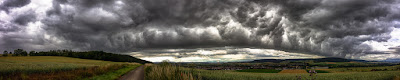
(137, 74)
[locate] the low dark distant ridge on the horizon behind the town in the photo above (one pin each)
(329, 59)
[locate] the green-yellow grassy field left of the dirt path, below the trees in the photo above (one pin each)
(54, 67)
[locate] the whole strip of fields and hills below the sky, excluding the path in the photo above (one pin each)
(95, 65)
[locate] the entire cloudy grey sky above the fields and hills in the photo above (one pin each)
(206, 30)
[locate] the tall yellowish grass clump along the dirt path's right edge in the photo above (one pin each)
(167, 71)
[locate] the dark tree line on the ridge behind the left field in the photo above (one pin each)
(97, 55)
